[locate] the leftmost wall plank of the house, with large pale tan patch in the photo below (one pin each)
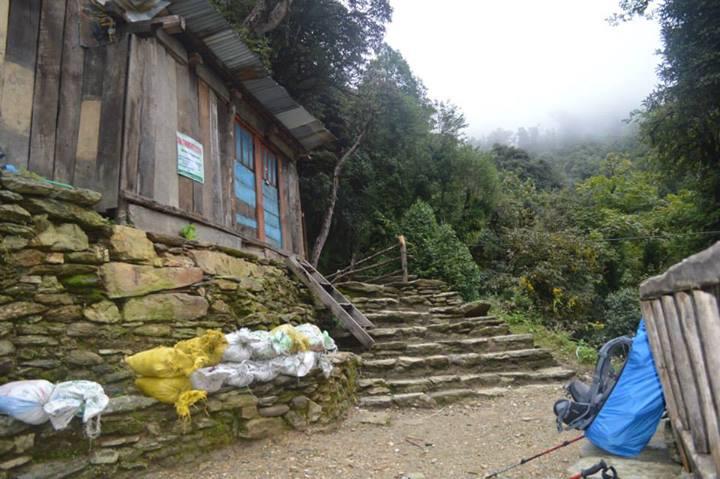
(19, 80)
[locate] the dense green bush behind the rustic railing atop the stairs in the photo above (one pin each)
(438, 253)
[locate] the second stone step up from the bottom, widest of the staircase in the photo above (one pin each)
(381, 387)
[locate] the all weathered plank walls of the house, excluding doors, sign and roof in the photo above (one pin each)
(106, 117)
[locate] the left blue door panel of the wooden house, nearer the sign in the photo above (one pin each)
(244, 181)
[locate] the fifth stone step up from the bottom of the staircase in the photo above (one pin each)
(441, 330)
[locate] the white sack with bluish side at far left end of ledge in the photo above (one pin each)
(24, 400)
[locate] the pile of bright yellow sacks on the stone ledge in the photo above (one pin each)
(164, 372)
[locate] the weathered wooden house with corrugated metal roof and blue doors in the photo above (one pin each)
(170, 116)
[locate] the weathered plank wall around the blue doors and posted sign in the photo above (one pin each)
(165, 94)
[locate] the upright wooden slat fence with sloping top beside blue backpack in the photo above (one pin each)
(680, 308)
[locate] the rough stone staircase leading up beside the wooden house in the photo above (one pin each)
(433, 348)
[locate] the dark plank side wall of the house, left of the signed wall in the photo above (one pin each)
(61, 112)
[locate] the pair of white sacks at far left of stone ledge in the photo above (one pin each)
(38, 401)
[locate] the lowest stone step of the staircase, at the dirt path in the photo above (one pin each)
(427, 400)
